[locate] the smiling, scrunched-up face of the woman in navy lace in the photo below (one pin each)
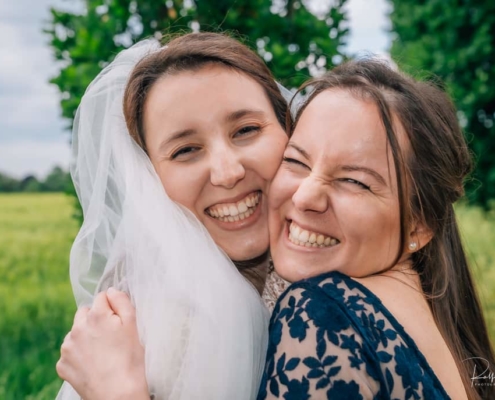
(333, 202)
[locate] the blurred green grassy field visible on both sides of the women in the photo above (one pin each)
(36, 304)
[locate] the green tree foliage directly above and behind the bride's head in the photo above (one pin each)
(88, 34)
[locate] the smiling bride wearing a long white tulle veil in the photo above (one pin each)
(174, 149)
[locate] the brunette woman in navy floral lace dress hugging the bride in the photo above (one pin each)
(362, 220)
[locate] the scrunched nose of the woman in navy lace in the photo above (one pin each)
(310, 196)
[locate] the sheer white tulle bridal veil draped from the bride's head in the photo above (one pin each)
(203, 325)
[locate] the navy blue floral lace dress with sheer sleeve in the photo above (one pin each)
(331, 338)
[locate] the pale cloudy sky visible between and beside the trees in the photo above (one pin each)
(33, 135)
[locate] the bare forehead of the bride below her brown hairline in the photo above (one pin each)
(210, 89)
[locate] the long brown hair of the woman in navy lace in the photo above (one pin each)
(430, 178)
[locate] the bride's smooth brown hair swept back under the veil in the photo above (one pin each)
(191, 52)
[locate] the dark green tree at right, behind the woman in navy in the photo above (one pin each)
(455, 40)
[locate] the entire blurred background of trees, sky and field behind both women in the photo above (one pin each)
(52, 49)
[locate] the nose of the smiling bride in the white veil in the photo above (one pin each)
(226, 168)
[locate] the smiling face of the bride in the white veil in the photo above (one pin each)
(215, 142)
